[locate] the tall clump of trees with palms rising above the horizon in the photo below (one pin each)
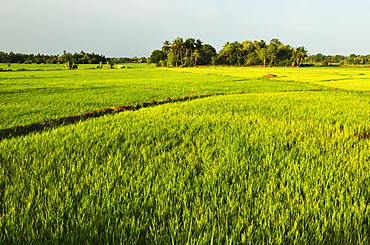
(192, 52)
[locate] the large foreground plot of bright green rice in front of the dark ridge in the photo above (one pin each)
(279, 168)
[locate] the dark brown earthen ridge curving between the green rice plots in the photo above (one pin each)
(24, 130)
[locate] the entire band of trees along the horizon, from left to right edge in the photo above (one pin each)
(194, 52)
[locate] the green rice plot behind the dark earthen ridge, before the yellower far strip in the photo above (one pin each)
(34, 96)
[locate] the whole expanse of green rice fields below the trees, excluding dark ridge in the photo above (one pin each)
(286, 162)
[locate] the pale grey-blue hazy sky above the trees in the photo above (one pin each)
(128, 28)
